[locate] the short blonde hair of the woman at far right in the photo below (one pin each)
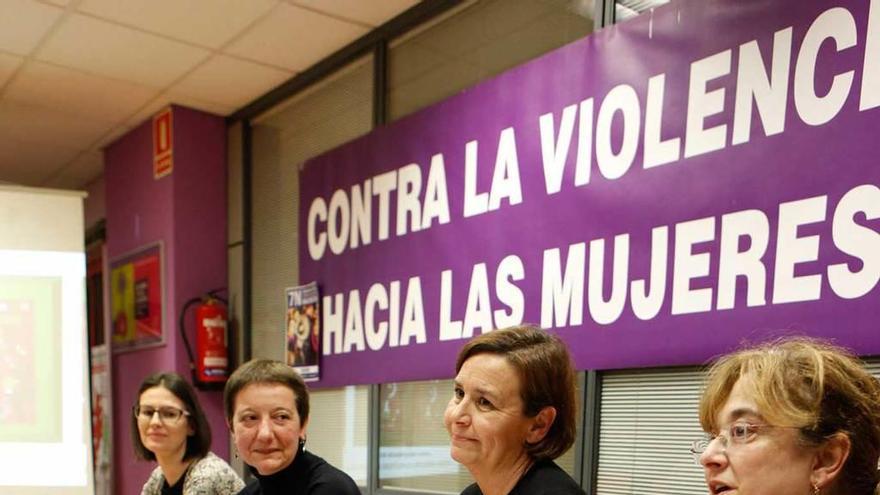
(807, 383)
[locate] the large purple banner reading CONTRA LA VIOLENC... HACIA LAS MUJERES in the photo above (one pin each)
(656, 193)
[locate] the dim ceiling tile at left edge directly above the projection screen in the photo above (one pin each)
(30, 165)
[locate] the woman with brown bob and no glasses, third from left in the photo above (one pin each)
(513, 411)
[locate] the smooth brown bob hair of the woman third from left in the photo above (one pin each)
(546, 377)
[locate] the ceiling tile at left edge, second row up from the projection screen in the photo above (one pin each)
(40, 124)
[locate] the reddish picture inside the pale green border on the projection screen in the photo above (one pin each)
(17, 372)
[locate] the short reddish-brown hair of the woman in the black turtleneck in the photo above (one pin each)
(266, 371)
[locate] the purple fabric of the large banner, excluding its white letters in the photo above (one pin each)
(801, 162)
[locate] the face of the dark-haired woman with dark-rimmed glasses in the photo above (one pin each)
(163, 437)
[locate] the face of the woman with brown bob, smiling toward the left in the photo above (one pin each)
(485, 419)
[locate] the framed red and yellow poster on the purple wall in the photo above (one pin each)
(136, 299)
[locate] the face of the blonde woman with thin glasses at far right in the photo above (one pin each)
(770, 462)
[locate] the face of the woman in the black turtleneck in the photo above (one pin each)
(266, 427)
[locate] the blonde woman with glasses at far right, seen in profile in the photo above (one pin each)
(792, 417)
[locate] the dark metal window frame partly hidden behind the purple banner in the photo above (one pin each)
(240, 244)
